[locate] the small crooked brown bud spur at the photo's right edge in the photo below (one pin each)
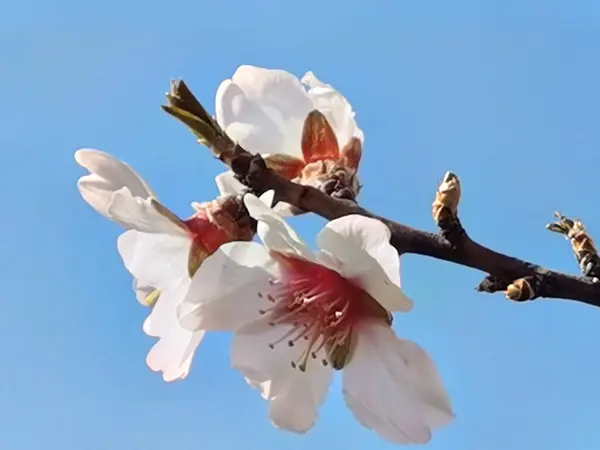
(581, 242)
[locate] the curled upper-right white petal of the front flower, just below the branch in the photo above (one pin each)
(363, 247)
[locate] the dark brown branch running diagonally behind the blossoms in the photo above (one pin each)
(520, 279)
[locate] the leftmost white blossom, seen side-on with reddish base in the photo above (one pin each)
(160, 250)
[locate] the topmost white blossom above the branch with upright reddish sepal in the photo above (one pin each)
(307, 134)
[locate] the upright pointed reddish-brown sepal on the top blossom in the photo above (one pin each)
(318, 139)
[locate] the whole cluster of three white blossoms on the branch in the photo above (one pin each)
(297, 315)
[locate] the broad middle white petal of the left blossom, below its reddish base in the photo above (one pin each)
(158, 260)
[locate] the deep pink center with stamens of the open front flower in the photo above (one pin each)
(323, 308)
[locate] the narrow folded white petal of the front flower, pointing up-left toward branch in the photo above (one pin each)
(275, 233)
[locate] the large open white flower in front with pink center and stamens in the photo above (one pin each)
(308, 313)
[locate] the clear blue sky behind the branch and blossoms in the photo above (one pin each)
(503, 93)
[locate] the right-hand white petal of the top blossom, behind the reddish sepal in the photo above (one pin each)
(335, 107)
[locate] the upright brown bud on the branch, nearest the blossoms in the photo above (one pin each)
(445, 209)
